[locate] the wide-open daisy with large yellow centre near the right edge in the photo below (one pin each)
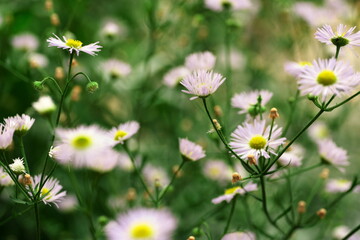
(327, 77)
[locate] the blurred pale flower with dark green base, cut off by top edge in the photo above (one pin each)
(219, 5)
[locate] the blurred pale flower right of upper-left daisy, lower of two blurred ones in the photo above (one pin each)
(115, 68)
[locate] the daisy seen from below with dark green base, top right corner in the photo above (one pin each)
(340, 38)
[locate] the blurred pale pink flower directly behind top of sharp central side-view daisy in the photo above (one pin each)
(200, 61)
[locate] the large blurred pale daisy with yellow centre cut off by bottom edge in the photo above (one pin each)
(142, 223)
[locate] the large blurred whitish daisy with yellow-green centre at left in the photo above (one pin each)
(80, 145)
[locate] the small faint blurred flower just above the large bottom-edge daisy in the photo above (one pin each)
(155, 175)
